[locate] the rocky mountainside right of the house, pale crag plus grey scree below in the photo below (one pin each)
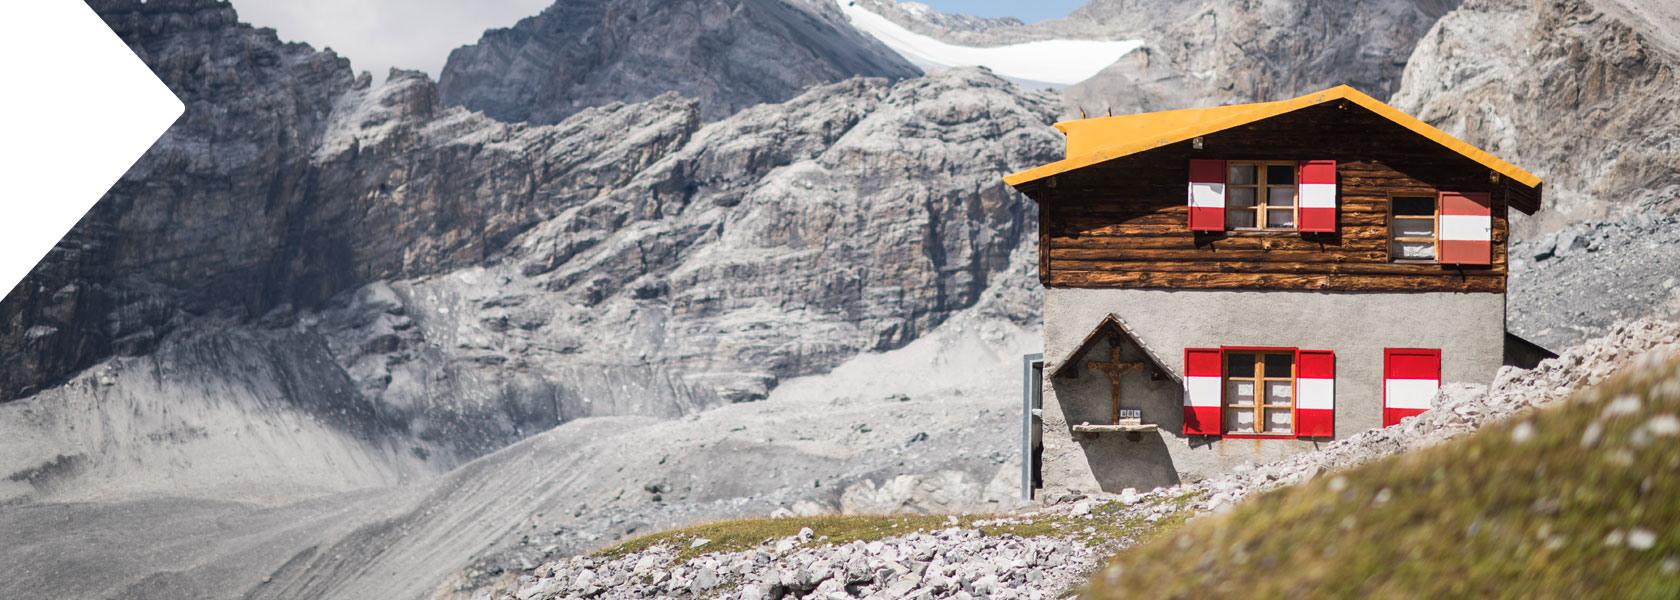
(1583, 95)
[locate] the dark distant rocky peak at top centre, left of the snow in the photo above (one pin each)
(728, 55)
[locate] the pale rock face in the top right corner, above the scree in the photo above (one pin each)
(1580, 93)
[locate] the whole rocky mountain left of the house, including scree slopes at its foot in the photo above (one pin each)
(315, 297)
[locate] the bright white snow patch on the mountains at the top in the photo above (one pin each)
(1037, 65)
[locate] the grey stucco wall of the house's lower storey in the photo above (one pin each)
(1467, 329)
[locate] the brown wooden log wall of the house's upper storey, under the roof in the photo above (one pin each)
(1125, 223)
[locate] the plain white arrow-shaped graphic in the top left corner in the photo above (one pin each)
(76, 112)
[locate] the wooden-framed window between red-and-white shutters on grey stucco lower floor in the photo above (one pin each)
(1259, 392)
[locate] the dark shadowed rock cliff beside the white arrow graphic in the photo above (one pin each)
(226, 171)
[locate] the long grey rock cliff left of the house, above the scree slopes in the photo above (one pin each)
(478, 282)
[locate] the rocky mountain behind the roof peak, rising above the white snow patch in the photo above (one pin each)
(1202, 53)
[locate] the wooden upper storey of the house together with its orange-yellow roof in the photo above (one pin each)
(1125, 221)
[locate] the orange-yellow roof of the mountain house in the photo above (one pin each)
(1098, 140)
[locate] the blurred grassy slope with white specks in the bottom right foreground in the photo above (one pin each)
(1530, 508)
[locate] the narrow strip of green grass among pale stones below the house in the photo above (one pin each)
(1108, 525)
